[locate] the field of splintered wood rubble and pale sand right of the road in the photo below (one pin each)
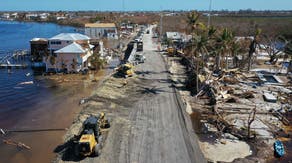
(237, 94)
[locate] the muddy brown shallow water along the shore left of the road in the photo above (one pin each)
(59, 112)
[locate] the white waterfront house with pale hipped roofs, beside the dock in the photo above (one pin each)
(69, 52)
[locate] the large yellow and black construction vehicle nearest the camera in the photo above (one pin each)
(89, 142)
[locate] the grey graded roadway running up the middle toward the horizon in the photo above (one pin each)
(158, 131)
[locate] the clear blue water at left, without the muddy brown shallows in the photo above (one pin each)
(15, 98)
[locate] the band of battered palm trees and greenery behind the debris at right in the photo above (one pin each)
(220, 43)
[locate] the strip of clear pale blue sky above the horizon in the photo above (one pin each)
(142, 5)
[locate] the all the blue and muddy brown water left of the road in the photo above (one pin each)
(40, 103)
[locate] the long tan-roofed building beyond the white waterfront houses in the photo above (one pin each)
(101, 30)
